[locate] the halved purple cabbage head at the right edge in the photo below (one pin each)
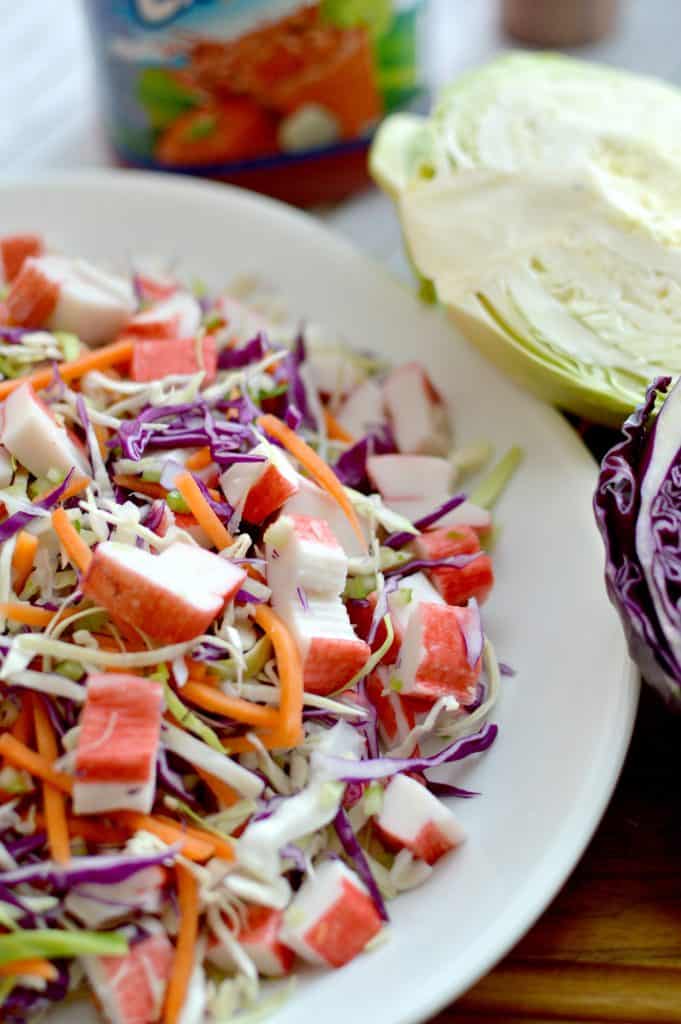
(639, 510)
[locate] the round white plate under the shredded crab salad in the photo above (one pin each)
(567, 717)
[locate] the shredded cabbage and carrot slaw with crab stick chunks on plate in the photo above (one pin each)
(241, 610)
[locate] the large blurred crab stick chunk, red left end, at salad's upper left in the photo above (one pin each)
(71, 295)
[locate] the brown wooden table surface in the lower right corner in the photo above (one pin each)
(609, 949)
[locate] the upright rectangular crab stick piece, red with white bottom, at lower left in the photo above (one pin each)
(117, 746)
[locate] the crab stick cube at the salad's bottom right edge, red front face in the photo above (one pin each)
(332, 917)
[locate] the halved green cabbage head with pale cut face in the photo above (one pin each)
(543, 200)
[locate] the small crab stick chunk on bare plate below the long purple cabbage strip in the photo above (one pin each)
(412, 819)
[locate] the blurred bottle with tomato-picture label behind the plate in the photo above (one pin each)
(282, 97)
